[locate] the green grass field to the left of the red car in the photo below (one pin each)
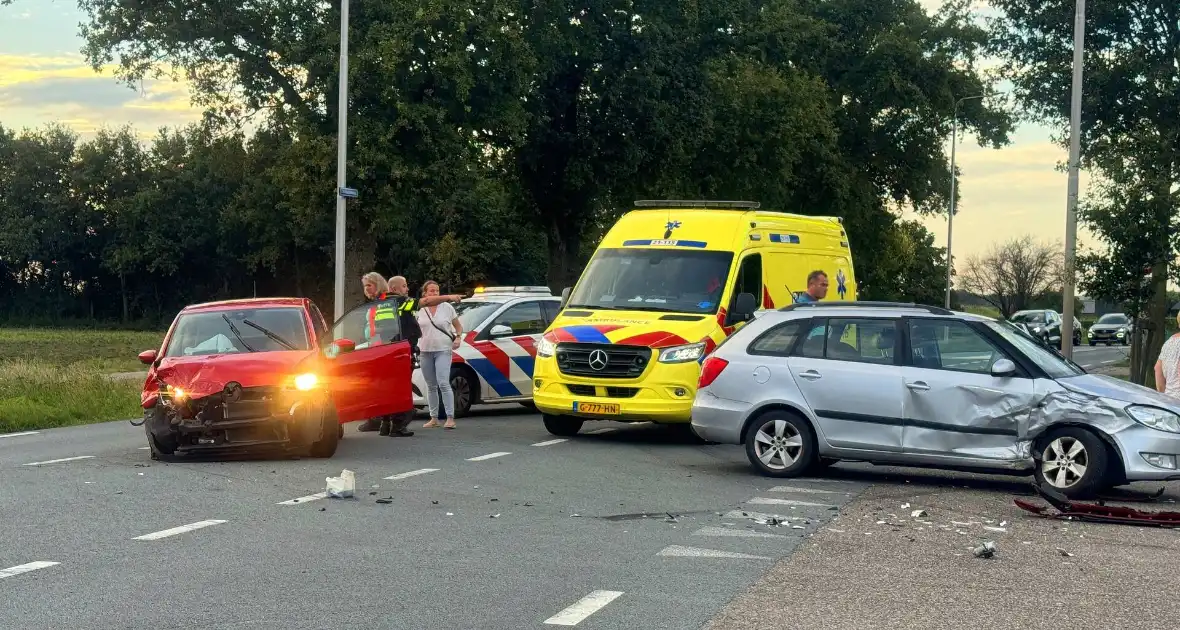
(51, 378)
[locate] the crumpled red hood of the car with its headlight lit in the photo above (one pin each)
(205, 376)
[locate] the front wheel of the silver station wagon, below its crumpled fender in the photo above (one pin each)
(1073, 462)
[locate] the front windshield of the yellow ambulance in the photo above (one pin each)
(659, 280)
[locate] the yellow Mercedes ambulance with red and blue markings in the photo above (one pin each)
(668, 283)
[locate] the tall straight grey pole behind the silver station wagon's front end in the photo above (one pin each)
(1076, 157)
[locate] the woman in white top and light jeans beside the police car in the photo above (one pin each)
(442, 333)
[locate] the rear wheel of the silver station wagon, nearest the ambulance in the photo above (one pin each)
(781, 444)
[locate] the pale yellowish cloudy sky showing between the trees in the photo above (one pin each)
(1005, 194)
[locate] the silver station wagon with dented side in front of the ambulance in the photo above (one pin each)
(811, 385)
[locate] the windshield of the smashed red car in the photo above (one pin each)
(239, 331)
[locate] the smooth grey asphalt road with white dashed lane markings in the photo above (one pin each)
(500, 527)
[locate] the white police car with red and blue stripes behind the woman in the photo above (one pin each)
(494, 364)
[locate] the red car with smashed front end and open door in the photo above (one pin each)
(268, 373)
